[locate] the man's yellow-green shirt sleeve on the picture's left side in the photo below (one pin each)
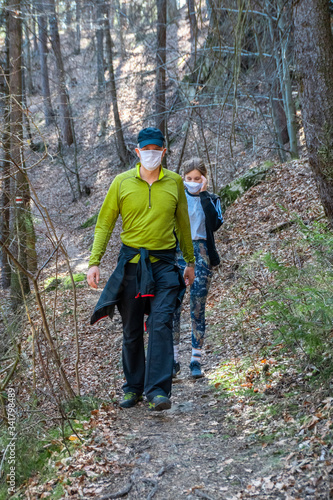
(107, 218)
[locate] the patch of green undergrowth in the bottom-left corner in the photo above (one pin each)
(39, 444)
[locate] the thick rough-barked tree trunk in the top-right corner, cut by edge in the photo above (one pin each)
(314, 49)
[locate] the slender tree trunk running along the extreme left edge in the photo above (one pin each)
(5, 196)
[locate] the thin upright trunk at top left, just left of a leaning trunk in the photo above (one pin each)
(43, 52)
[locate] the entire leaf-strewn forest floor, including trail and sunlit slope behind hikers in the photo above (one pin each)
(255, 425)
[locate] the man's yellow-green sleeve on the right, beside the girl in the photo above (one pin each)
(182, 226)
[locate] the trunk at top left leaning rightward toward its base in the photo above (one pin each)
(64, 102)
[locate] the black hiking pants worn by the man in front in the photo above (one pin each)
(153, 375)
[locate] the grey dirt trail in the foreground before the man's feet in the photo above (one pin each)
(188, 452)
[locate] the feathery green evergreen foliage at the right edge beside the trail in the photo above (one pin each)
(300, 304)
